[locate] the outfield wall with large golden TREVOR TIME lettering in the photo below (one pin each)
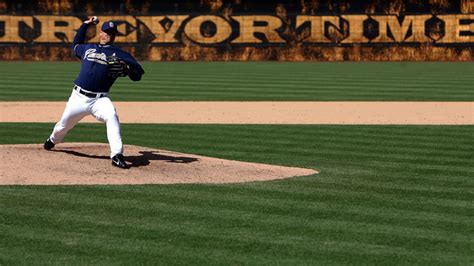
(357, 37)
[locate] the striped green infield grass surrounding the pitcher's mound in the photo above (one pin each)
(386, 195)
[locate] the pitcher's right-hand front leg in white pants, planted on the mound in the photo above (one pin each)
(104, 110)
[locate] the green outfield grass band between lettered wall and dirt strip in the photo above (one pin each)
(253, 81)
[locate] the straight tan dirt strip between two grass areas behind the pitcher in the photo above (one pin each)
(362, 113)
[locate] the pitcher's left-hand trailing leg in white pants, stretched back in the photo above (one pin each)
(76, 109)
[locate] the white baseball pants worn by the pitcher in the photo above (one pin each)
(79, 106)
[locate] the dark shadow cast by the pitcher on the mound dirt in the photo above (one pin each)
(138, 160)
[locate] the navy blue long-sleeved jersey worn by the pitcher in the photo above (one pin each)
(93, 76)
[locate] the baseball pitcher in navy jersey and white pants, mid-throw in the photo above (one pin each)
(101, 65)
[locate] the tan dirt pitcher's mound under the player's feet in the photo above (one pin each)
(89, 163)
